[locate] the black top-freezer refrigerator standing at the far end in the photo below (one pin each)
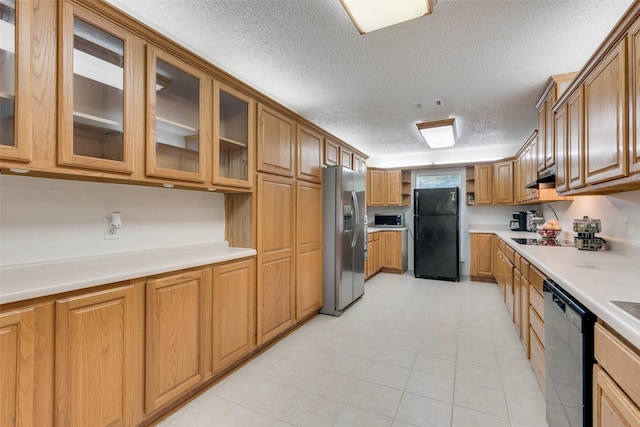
(436, 241)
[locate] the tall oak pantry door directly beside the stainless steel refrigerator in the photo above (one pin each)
(308, 249)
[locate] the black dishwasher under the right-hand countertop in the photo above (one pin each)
(568, 336)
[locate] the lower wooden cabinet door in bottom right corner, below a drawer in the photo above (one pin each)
(611, 407)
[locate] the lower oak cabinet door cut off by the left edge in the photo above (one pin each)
(16, 367)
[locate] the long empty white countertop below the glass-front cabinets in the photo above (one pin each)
(24, 281)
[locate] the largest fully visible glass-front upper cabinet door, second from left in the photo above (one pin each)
(97, 96)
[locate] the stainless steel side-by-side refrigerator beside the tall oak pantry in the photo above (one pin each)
(344, 238)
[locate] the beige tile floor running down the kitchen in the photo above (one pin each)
(411, 352)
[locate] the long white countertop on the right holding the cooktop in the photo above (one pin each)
(593, 277)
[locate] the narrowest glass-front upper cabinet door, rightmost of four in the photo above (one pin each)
(235, 135)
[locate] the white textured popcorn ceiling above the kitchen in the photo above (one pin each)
(488, 60)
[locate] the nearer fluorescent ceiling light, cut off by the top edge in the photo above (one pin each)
(371, 15)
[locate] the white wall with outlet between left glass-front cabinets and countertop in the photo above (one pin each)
(45, 219)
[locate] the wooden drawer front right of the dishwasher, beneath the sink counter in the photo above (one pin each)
(621, 361)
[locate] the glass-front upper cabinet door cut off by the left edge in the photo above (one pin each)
(15, 93)
